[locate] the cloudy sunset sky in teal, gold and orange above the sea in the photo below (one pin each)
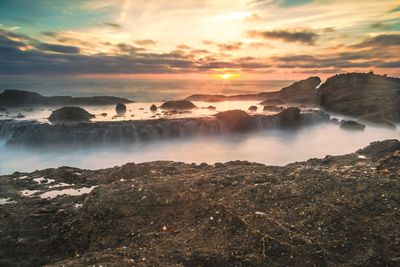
(254, 39)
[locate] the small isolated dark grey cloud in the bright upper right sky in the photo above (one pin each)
(301, 36)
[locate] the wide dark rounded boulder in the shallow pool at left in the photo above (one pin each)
(70, 114)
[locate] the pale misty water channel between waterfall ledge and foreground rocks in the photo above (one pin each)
(277, 147)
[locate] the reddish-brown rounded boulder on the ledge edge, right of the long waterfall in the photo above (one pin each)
(236, 120)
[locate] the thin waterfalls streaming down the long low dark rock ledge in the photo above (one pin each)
(36, 134)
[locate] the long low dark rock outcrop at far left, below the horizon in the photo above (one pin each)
(17, 98)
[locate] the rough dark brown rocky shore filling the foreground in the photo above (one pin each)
(340, 210)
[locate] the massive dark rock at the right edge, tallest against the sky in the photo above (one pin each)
(373, 97)
